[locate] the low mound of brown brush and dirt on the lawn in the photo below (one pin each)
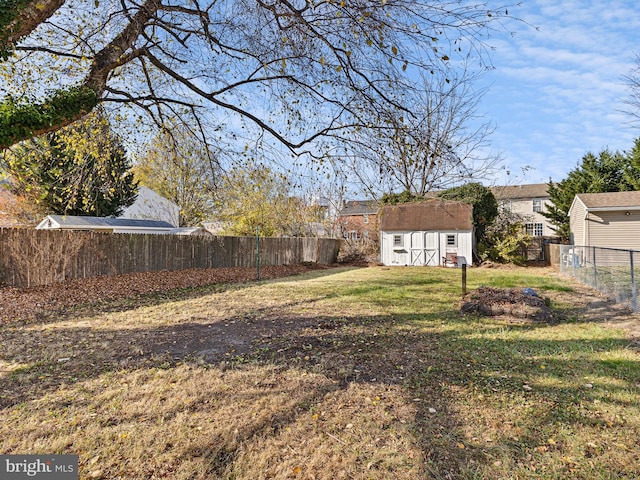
(521, 304)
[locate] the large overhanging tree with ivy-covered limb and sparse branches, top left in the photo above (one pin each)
(268, 65)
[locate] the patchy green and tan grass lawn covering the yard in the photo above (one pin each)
(345, 373)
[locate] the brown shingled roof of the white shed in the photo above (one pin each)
(427, 216)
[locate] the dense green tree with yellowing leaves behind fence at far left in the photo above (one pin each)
(81, 169)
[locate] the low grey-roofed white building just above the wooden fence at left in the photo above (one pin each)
(104, 224)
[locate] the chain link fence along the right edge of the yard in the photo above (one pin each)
(612, 271)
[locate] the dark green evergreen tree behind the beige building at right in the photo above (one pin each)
(606, 172)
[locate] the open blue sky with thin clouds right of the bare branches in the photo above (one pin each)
(557, 90)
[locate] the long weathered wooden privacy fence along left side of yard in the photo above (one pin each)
(41, 257)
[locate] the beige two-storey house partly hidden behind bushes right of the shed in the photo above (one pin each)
(529, 201)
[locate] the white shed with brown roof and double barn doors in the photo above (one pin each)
(433, 233)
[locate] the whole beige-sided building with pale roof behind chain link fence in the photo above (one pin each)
(606, 220)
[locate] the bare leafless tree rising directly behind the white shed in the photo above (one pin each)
(440, 144)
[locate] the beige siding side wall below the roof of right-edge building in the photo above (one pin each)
(614, 229)
